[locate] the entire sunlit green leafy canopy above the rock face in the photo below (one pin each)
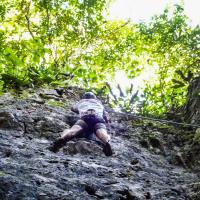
(71, 43)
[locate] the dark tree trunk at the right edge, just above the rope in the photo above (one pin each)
(191, 110)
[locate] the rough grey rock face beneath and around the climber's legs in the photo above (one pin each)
(143, 165)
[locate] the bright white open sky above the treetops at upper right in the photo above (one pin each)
(143, 10)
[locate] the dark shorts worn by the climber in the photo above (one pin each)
(91, 123)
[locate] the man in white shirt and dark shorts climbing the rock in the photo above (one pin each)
(92, 119)
